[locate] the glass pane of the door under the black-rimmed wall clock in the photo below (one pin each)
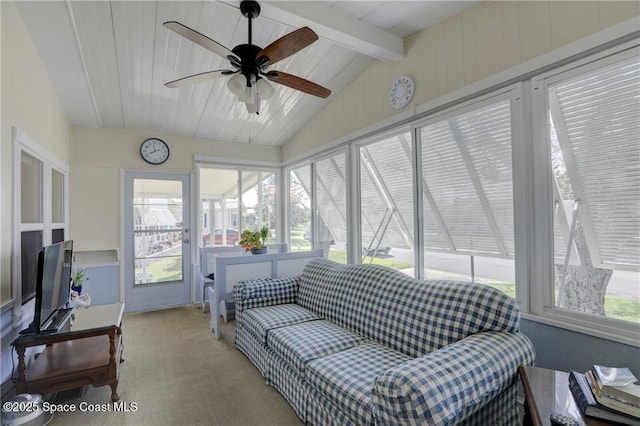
(158, 231)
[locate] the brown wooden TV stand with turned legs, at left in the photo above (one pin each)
(87, 351)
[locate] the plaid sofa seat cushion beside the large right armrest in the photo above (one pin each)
(346, 377)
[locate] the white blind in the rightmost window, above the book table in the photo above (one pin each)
(599, 111)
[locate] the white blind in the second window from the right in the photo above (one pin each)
(467, 181)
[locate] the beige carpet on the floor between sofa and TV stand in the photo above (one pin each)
(177, 373)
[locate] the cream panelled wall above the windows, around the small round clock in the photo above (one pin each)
(469, 47)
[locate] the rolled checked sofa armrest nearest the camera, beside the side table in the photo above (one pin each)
(447, 385)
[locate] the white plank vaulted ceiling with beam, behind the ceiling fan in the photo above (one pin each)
(109, 60)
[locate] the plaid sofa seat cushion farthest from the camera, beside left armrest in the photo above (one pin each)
(260, 321)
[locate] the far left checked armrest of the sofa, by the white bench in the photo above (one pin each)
(265, 292)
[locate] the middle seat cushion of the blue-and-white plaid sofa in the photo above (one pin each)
(301, 343)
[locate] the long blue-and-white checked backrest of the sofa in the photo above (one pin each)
(408, 315)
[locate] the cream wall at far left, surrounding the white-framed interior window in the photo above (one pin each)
(29, 103)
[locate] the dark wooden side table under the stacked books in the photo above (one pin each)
(546, 392)
